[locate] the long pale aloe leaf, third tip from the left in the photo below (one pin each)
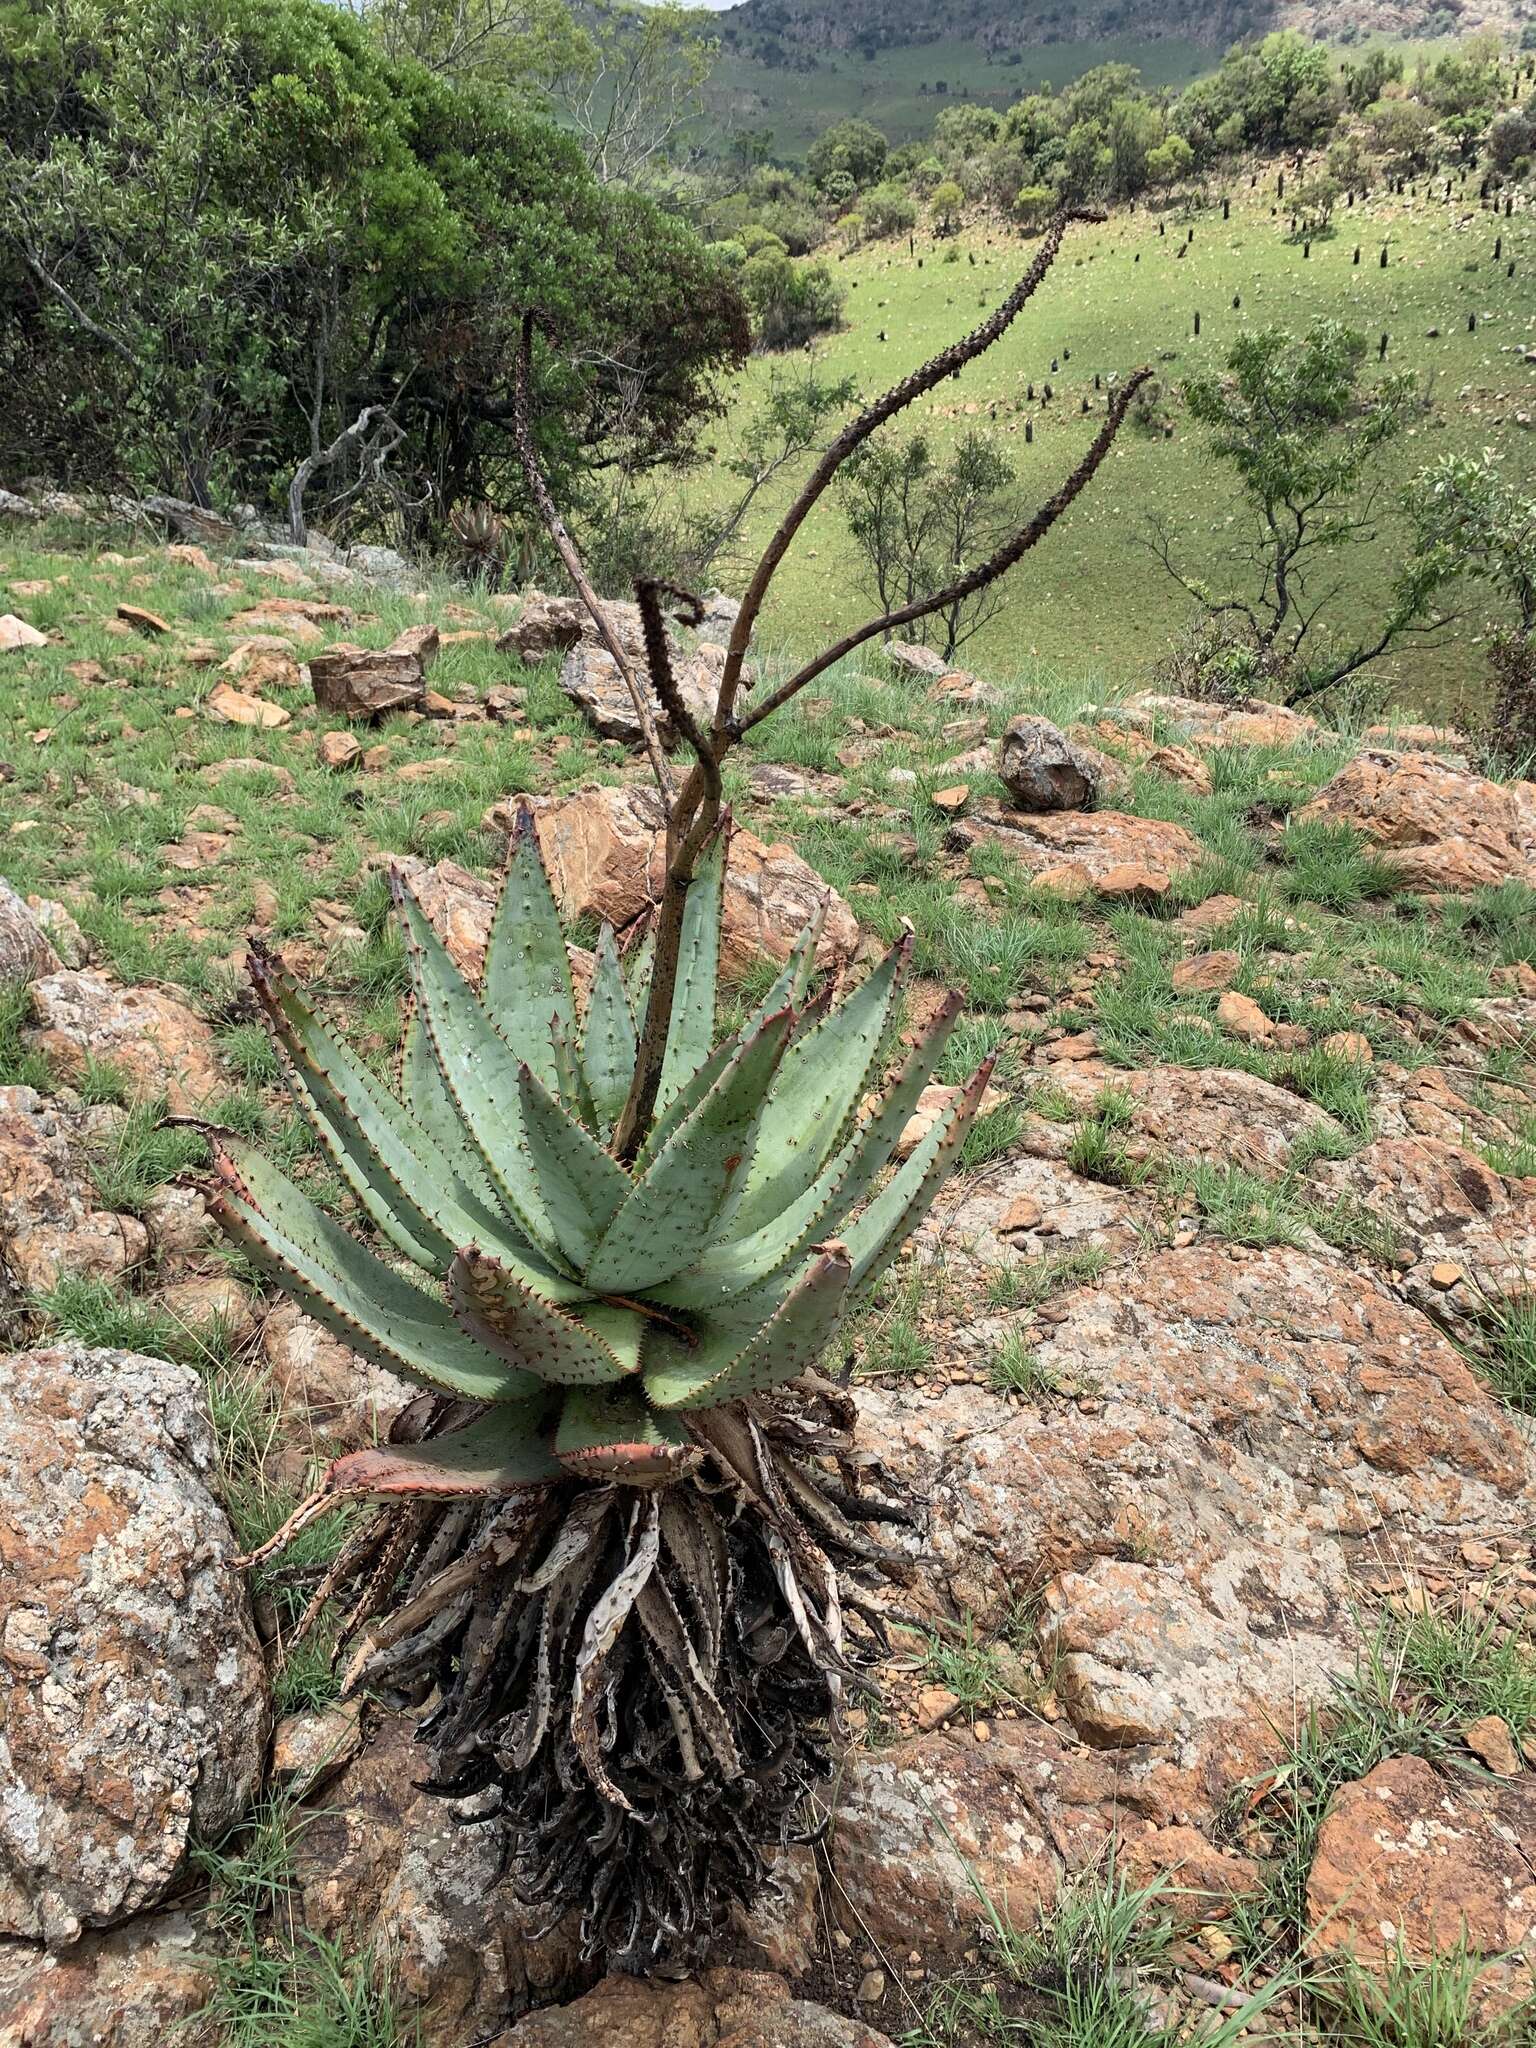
(480, 1070)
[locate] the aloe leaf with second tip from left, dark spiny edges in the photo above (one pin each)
(392, 1164)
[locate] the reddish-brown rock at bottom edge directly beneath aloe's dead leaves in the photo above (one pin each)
(718, 2010)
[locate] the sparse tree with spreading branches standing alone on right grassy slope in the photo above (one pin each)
(1304, 439)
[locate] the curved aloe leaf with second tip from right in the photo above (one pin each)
(738, 1265)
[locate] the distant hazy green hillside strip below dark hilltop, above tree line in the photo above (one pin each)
(886, 91)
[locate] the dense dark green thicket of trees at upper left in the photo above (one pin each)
(234, 230)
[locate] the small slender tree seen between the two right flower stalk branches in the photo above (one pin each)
(923, 521)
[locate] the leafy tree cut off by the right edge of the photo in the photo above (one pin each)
(1476, 523)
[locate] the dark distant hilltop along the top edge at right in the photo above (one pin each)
(794, 32)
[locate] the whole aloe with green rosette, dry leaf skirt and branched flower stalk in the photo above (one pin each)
(626, 1553)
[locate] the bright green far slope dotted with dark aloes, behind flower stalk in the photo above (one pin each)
(1093, 599)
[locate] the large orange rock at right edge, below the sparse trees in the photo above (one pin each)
(1443, 828)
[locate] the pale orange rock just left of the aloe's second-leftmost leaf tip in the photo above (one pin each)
(155, 1041)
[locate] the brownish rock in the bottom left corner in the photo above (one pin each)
(132, 1988)
